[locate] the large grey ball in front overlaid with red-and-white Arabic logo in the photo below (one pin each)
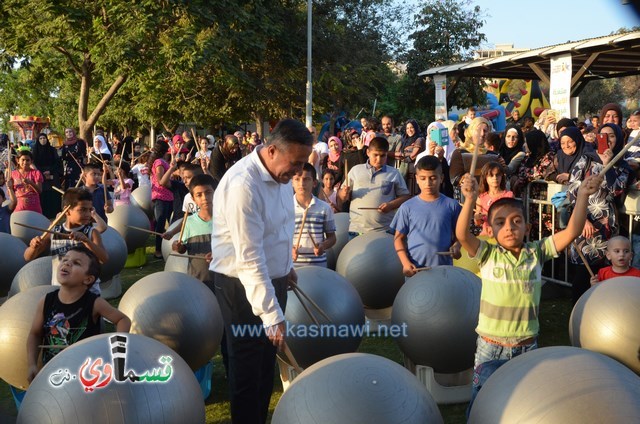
(176, 400)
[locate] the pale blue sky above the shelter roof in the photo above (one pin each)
(539, 23)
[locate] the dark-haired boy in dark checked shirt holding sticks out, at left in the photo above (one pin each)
(77, 230)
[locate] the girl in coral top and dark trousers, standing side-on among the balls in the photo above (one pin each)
(161, 194)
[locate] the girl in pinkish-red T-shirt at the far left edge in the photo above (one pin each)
(27, 183)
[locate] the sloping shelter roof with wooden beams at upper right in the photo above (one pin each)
(611, 56)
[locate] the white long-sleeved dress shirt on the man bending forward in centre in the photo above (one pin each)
(252, 238)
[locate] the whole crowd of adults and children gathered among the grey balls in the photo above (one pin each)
(254, 229)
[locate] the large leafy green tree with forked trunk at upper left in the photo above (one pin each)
(105, 43)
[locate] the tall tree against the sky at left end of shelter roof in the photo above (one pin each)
(448, 31)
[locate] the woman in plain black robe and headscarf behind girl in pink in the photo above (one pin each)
(46, 160)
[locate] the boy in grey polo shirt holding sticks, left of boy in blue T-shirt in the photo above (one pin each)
(375, 190)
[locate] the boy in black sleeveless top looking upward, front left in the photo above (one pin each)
(71, 313)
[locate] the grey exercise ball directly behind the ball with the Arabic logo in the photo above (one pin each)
(177, 310)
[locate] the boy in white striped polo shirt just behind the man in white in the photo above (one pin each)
(319, 233)
